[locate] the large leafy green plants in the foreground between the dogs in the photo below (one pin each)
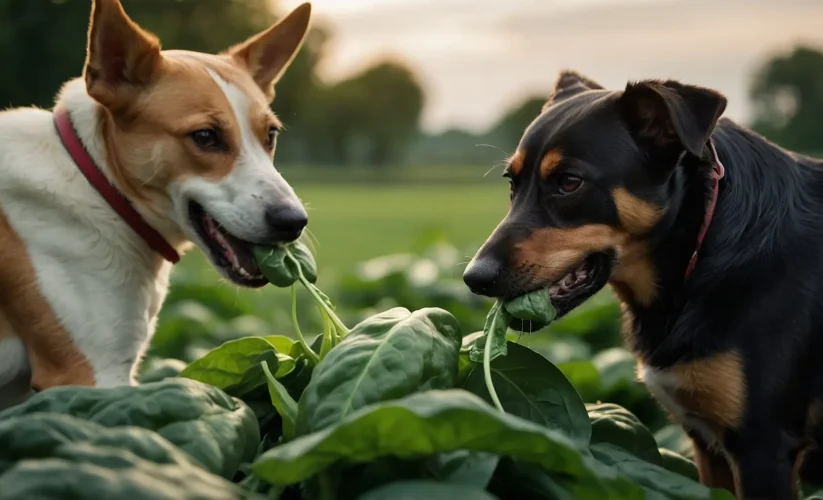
(401, 405)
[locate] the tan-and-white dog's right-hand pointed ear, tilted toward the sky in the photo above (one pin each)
(267, 55)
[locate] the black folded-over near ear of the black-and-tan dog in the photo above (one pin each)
(670, 114)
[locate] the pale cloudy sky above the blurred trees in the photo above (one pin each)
(478, 58)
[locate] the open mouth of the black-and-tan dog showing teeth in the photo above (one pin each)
(575, 287)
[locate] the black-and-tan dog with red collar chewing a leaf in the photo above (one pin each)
(712, 238)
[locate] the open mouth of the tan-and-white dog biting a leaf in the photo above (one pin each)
(228, 253)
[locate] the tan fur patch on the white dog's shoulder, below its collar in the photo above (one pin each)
(54, 358)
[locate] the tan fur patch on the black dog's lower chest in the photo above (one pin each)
(713, 388)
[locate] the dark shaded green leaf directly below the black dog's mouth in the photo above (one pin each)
(531, 387)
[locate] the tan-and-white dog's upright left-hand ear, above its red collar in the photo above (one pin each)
(120, 57)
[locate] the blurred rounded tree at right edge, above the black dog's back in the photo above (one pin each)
(787, 94)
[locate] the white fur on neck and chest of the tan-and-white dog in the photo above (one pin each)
(96, 273)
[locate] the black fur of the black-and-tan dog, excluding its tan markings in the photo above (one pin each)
(757, 285)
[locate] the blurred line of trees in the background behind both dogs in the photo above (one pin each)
(369, 118)
